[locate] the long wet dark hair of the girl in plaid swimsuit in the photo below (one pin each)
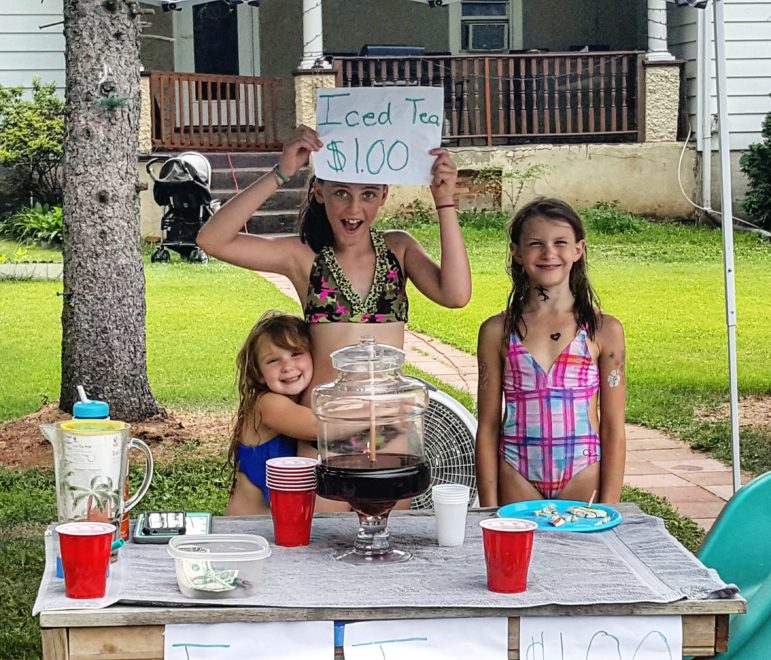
(586, 301)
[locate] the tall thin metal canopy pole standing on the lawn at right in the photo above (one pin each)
(728, 235)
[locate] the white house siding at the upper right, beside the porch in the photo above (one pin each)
(748, 65)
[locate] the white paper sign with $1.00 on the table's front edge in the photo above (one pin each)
(601, 638)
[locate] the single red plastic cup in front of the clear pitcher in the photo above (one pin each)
(85, 549)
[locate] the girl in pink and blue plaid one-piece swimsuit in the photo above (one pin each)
(562, 434)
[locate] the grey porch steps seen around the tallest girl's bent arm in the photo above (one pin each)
(279, 213)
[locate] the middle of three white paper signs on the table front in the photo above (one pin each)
(428, 639)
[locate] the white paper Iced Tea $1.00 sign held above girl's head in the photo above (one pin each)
(378, 134)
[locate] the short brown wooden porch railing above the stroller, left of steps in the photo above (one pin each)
(214, 113)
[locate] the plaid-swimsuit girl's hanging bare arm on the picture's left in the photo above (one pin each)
(489, 398)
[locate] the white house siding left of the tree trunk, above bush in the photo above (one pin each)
(26, 50)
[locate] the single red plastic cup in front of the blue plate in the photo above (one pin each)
(508, 544)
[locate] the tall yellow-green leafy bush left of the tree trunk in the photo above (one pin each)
(31, 134)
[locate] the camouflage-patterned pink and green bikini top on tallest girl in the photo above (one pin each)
(331, 298)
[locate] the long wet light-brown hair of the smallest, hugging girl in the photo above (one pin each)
(285, 331)
